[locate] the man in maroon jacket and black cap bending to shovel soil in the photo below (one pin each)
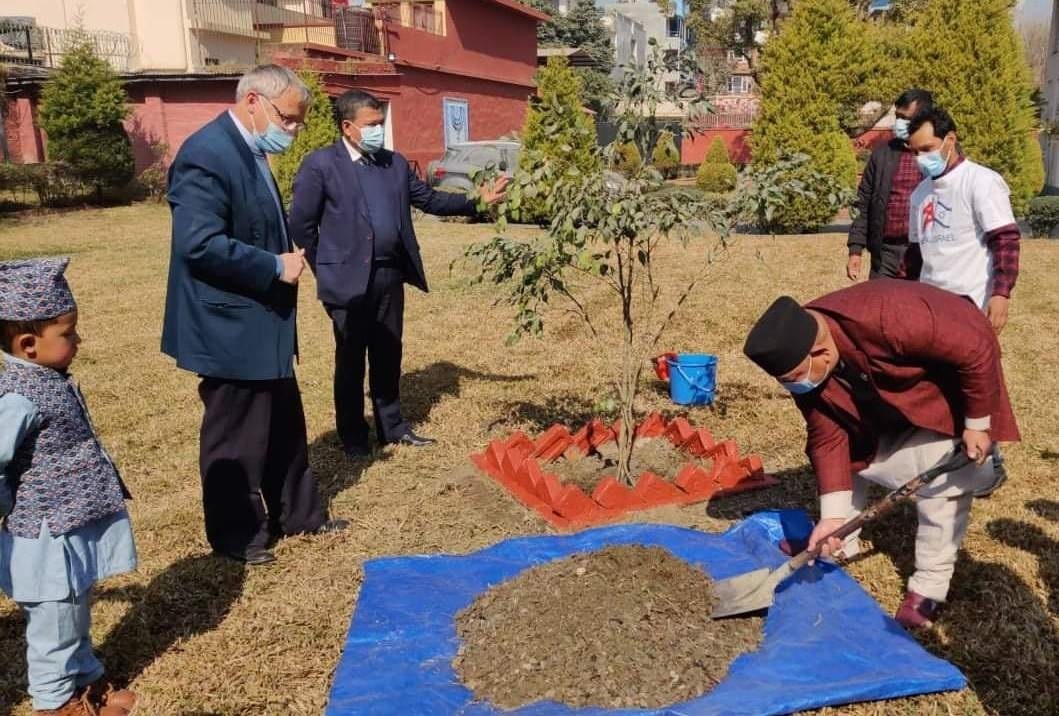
(888, 374)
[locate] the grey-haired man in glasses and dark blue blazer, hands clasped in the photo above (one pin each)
(230, 313)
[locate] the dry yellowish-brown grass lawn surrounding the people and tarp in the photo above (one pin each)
(199, 636)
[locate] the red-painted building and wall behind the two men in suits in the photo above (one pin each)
(450, 70)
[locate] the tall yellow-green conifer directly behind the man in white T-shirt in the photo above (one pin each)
(971, 57)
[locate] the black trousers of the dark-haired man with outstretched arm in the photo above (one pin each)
(373, 328)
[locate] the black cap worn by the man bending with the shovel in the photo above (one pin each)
(782, 338)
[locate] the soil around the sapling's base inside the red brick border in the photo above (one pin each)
(656, 455)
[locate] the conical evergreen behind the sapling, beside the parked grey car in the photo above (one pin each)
(558, 129)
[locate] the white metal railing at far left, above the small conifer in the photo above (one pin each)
(45, 47)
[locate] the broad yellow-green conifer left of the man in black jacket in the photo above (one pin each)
(816, 76)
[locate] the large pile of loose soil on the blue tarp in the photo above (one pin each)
(622, 628)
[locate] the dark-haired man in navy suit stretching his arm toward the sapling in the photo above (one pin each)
(351, 212)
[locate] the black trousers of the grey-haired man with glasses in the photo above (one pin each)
(254, 457)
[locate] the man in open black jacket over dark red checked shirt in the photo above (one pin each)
(883, 200)
